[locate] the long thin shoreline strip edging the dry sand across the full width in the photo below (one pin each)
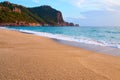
(91, 47)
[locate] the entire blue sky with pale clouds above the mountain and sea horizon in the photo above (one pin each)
(83, 12)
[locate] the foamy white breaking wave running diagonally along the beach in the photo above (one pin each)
(63, 37)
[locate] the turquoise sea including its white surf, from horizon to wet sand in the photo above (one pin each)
(102, 36)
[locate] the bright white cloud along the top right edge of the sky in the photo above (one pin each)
(88, 5)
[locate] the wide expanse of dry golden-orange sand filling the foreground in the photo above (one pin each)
(29, 57)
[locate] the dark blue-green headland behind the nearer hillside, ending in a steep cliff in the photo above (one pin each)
(48, 14)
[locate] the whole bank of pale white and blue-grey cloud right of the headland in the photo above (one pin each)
(96, 12)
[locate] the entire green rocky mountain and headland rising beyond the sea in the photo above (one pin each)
(17, 15)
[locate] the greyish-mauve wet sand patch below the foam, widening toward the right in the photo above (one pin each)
(91, 47)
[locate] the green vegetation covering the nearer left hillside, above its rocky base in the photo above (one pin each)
(7, 15)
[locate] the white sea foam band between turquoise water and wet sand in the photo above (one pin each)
(69, 38)
